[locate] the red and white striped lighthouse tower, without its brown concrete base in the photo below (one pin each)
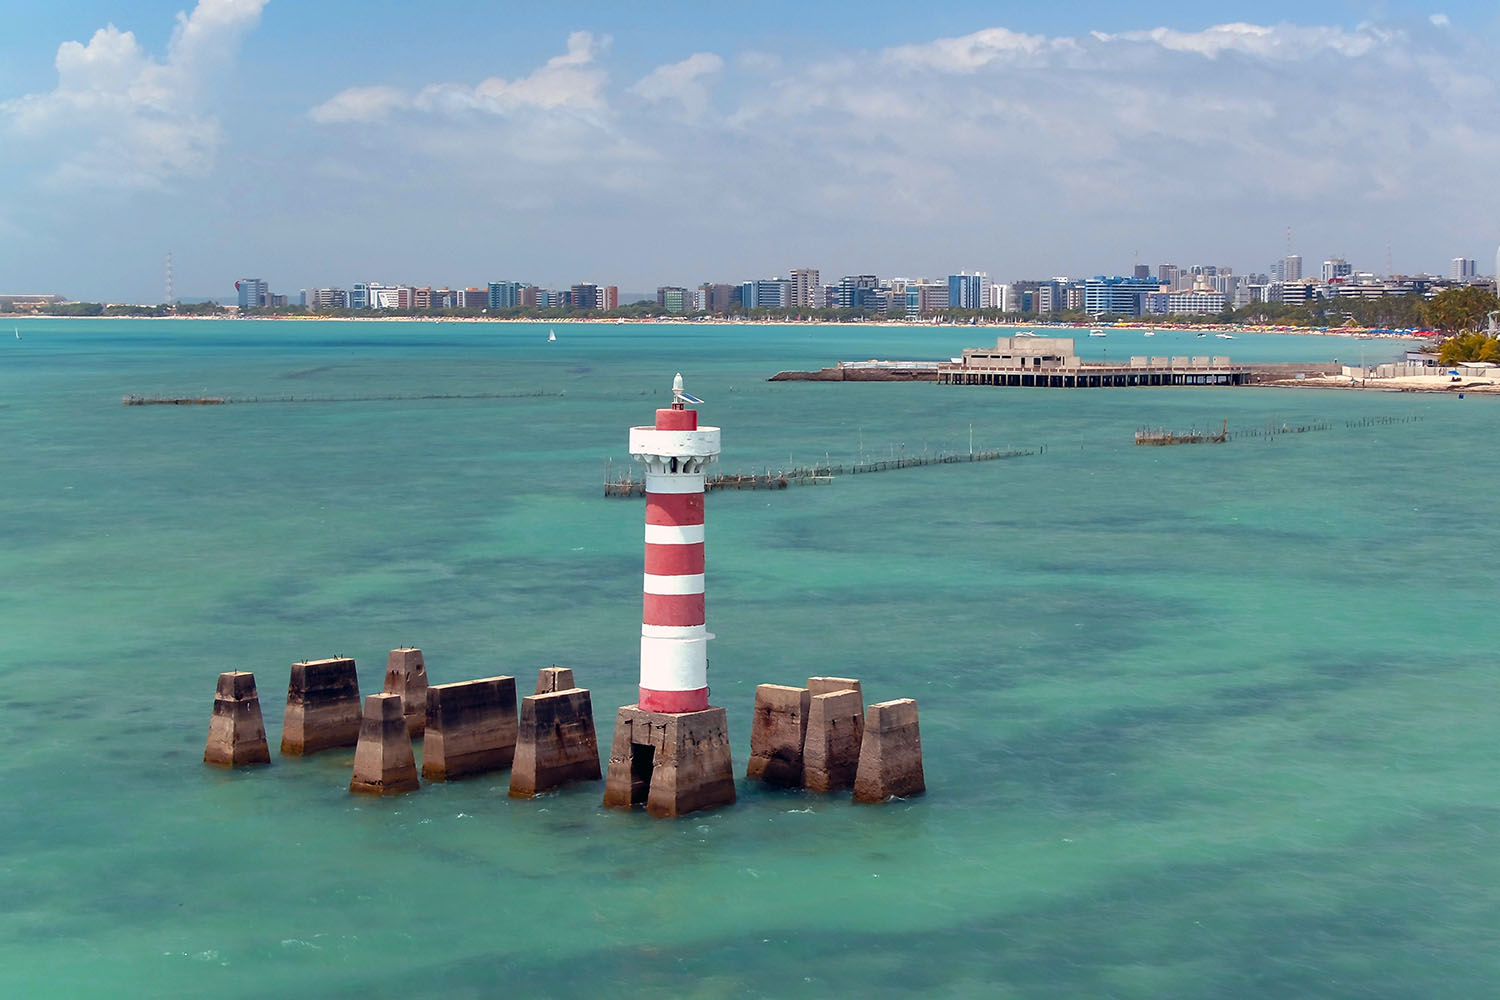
(674, 630)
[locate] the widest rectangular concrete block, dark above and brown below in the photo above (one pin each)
(472, 729)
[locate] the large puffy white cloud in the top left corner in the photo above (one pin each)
(124, 119)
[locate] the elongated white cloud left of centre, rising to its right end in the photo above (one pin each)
(571, 83)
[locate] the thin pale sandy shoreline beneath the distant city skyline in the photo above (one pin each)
(1364, 334)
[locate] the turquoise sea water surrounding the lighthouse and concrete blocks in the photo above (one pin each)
(1198, 722)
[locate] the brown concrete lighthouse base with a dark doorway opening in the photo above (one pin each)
(671, 762)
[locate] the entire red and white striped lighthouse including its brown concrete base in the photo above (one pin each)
(671, 750)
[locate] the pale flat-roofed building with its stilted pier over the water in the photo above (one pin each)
(1054, 364)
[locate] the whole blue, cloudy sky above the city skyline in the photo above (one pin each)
(332, 142)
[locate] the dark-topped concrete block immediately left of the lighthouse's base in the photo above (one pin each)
(556, 743)
